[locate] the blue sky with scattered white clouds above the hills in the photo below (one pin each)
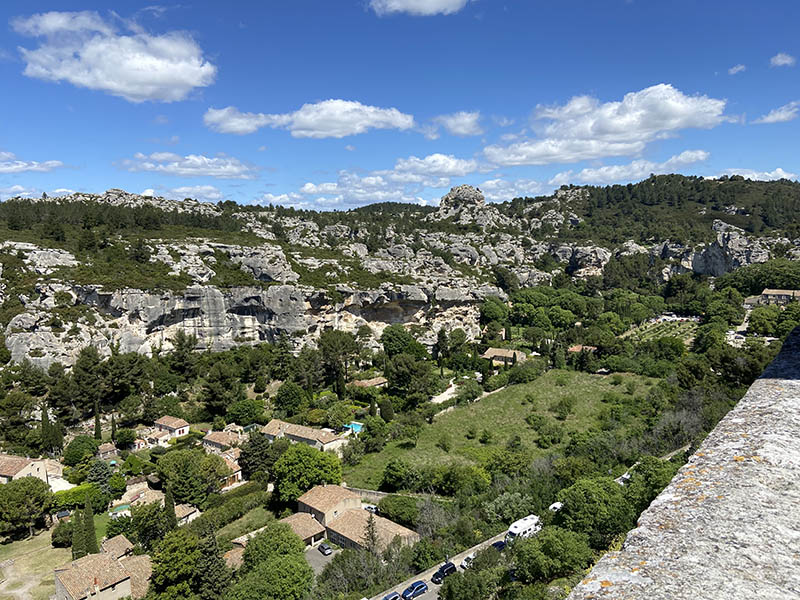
(332, 104)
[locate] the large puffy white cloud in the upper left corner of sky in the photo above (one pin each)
(86, 51)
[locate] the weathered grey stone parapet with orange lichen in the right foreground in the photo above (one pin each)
(728, 525)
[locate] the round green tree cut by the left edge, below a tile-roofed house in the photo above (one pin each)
(24, 503)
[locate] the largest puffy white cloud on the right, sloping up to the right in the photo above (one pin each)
(584, 128)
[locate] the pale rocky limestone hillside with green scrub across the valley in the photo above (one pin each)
(129, 271)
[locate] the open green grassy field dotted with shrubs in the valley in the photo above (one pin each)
(503, 414)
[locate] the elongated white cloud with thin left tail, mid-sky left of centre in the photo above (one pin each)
(329, 118)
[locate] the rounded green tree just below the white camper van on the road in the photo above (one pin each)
(552, 553)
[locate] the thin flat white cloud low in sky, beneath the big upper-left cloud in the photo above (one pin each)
(192, 165)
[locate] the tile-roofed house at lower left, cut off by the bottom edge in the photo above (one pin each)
(96, 576)
